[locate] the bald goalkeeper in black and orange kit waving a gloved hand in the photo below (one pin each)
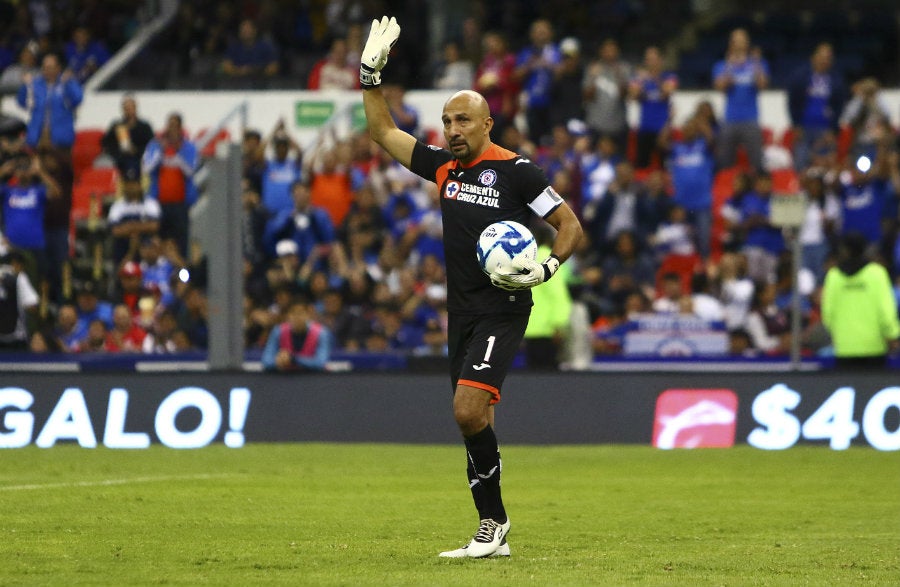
(480, 183)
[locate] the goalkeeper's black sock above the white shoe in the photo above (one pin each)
(484, 462)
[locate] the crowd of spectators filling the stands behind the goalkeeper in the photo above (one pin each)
(677, 218)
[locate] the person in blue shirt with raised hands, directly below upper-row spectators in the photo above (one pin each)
(691, 166)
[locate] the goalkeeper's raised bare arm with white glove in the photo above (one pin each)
(382, 128)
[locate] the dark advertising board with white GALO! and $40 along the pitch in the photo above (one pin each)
(668, 410)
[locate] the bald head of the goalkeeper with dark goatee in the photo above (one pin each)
(467, 125)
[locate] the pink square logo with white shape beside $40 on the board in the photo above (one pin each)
(695, 418)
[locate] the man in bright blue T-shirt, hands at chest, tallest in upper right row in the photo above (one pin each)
(741, 75)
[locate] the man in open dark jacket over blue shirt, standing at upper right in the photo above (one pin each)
(816, 98)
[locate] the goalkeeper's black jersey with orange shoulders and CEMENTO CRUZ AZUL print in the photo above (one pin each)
(500, 185)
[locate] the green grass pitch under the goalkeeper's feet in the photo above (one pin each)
(372, 514)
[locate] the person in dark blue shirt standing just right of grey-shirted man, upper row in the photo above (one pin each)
(652, 87)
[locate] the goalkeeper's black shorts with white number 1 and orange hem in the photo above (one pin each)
(482, 349)
